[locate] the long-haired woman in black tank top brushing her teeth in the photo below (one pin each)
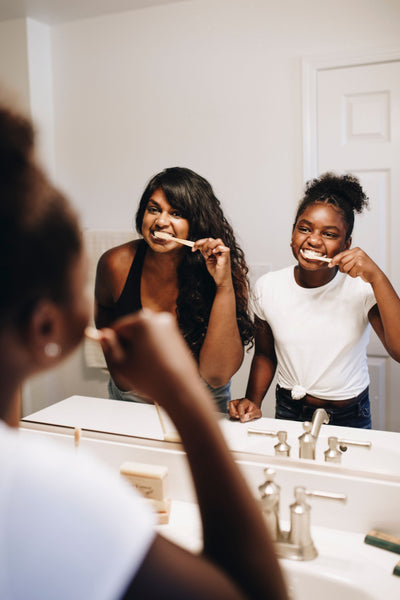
(205, 288)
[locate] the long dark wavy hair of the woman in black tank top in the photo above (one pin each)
(193, 196)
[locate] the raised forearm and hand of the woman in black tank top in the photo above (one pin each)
(222, 351)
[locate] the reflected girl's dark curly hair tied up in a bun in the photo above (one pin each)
(342, 191)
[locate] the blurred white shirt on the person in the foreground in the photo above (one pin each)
(70, 528)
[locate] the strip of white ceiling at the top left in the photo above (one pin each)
(52, 12)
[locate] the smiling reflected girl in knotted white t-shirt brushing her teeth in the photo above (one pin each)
(313, 320)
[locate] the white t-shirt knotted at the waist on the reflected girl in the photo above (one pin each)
(321, 334)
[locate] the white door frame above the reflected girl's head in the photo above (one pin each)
(310, 67)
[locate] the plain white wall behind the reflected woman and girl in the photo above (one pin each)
(214, 85)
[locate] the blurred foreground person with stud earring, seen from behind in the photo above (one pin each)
(70, 528)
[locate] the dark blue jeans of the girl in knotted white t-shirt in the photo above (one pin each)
(357, 414)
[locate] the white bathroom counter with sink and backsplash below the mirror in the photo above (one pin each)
(345, 567)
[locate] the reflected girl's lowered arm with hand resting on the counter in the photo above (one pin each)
(262, 372)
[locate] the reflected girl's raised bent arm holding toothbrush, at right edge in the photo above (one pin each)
(385, 315)
